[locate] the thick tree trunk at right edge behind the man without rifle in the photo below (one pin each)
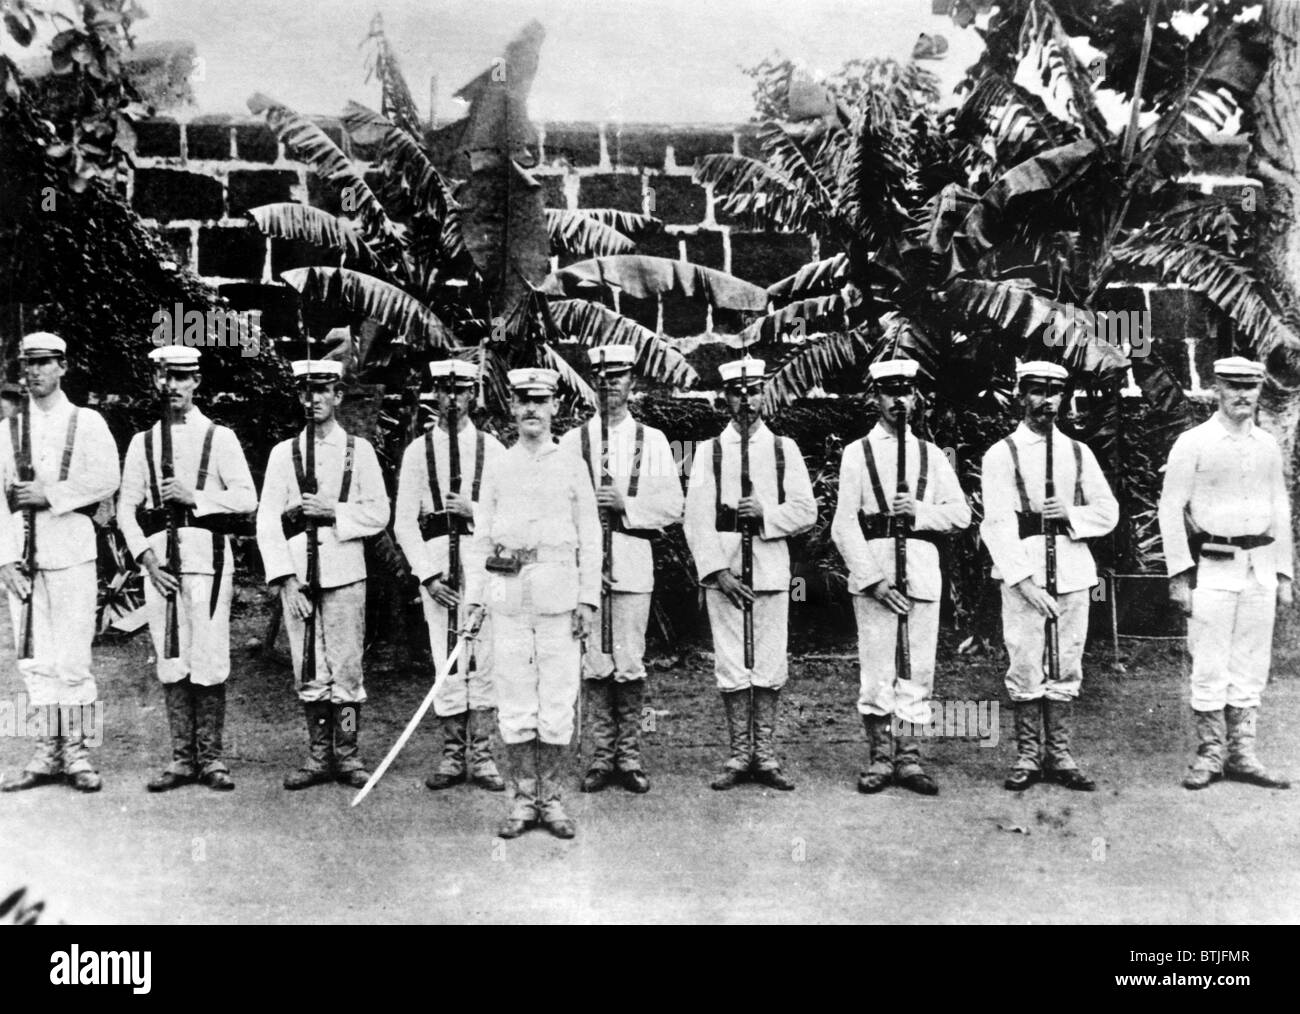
(1277, 163)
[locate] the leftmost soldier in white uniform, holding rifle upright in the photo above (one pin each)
(75, 462)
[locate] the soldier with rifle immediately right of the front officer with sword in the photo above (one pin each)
(643, 499)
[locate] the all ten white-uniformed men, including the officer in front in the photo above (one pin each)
(535, 579)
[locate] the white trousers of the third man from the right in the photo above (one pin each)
(881, 690)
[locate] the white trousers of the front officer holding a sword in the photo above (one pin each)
(538, 666)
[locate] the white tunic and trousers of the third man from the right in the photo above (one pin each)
(942, 508)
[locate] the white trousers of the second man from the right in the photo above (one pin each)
(1025, 634)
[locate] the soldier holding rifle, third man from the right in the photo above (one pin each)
(934, 505)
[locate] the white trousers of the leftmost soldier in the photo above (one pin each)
(63, 627)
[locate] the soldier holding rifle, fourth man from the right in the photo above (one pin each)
(781, 505)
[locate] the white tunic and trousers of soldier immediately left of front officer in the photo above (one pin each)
(470, 684)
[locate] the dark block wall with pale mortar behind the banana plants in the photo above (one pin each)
(196, 181)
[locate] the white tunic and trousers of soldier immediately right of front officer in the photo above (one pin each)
(658, 504)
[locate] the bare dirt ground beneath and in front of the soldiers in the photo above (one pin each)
(1138, 851)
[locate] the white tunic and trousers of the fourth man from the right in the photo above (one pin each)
(783, 517)
